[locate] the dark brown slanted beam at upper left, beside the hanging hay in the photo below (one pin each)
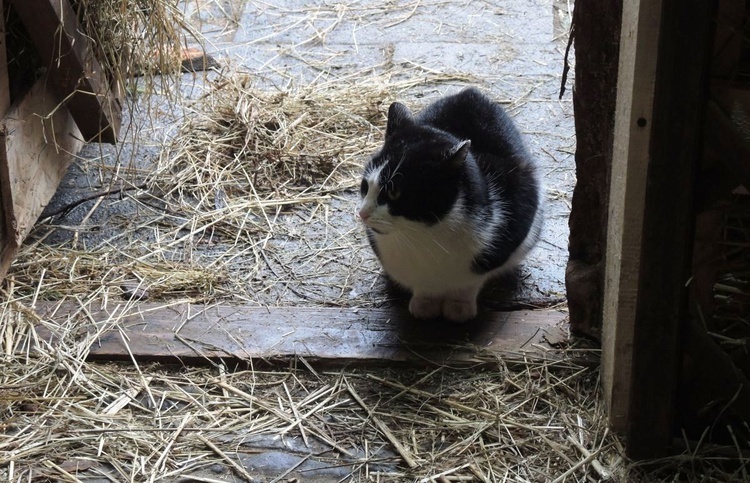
(76, 75)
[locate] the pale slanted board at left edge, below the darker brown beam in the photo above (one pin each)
(38, 140)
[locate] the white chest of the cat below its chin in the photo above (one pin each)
(429, 259)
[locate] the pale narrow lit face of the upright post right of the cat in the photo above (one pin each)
(635, 97)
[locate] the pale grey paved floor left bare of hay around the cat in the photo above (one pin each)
(513, 51)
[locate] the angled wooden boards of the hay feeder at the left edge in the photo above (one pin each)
(47, 125)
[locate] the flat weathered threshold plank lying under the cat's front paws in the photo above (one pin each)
(194, 333)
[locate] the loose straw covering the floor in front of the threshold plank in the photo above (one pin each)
(65, 419)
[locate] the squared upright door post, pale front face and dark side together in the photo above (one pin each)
(661, 103)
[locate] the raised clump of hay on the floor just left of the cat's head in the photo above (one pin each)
(247, 150)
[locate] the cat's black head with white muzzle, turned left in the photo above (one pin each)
(415, 177)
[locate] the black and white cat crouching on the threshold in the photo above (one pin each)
(451, 200)
